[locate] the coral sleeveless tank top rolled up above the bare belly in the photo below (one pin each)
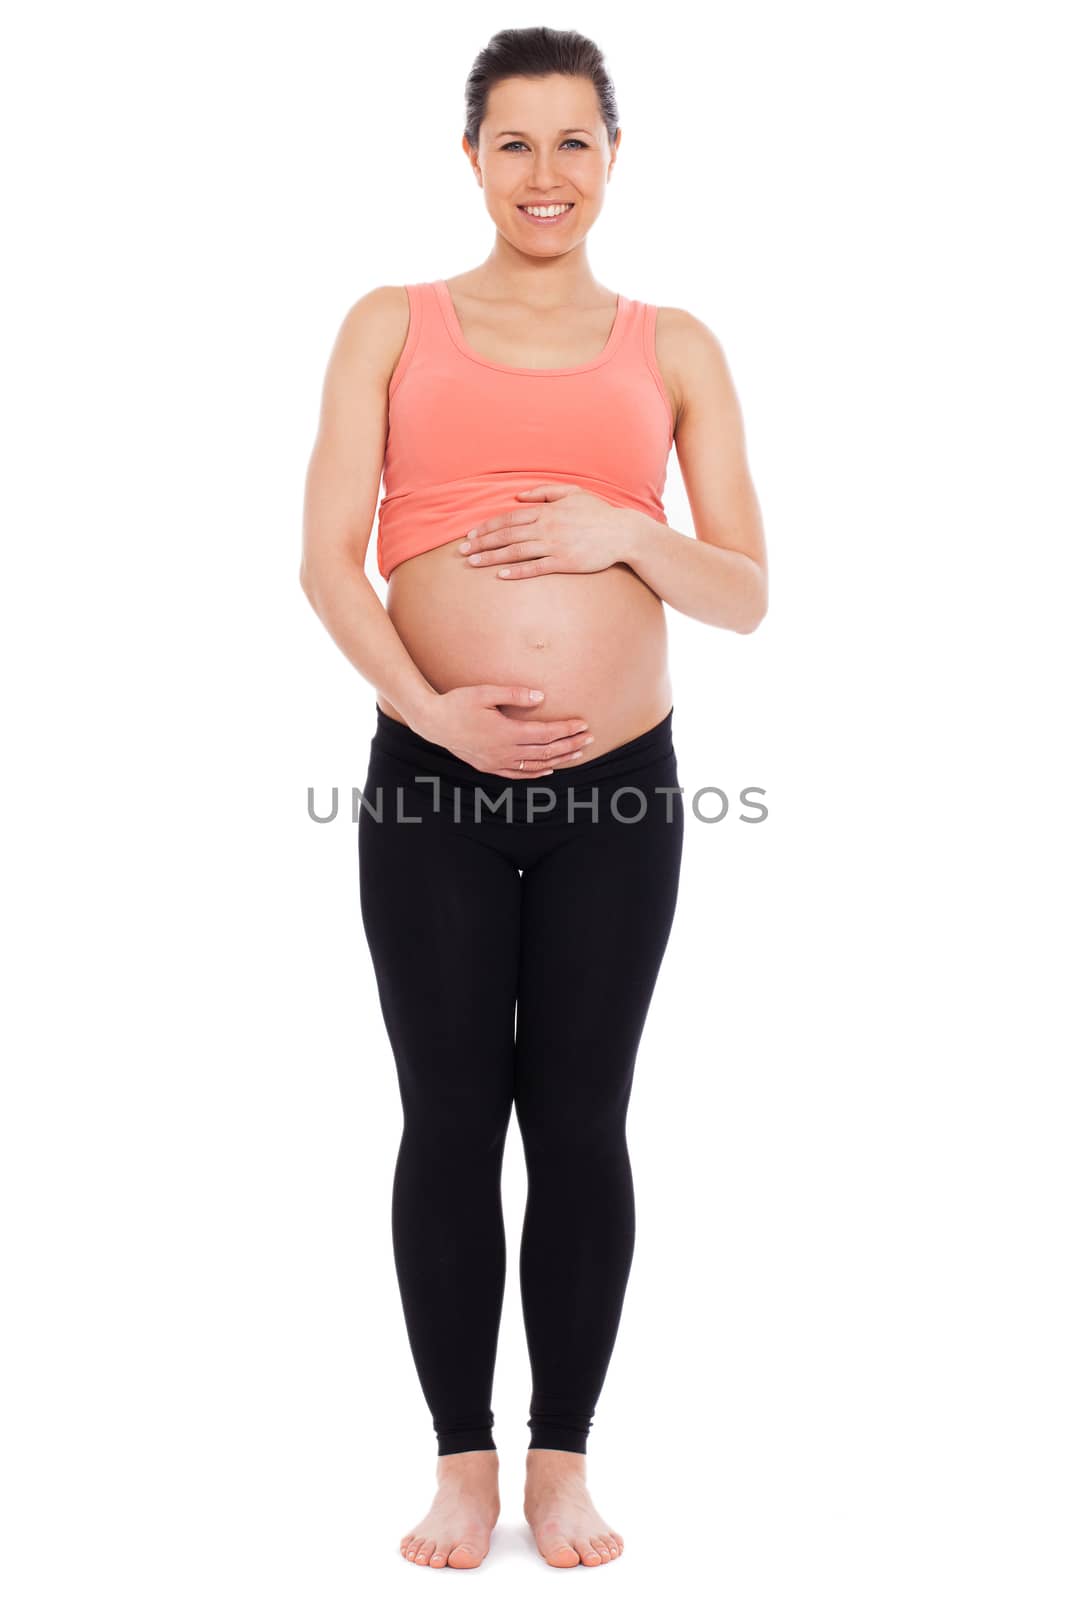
(468, 434)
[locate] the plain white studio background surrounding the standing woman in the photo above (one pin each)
(841, 1366)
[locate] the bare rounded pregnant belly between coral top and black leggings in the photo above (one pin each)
(594, 642)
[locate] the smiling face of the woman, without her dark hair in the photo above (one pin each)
(543, 143)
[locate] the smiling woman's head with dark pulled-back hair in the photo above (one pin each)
(541, 129)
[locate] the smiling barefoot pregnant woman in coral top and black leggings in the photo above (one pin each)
(521, 830)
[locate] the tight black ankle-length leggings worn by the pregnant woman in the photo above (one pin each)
(473, 918)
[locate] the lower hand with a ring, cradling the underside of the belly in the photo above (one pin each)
(470, 724)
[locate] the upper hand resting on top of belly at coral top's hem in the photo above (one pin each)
(570, 532)
